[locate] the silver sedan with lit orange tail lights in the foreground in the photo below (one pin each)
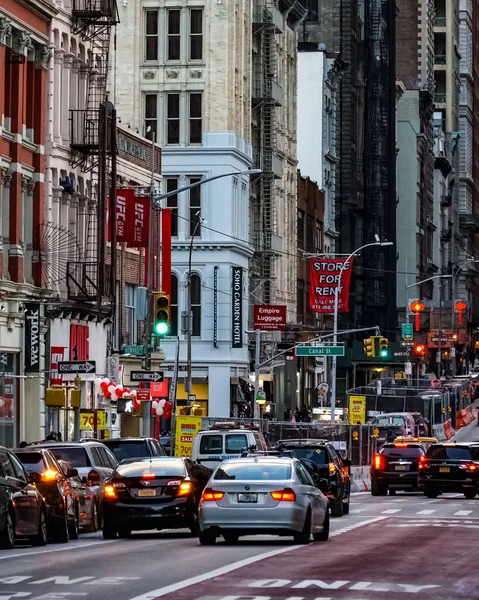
(263, 495)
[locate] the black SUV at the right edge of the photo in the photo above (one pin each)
(450, 468)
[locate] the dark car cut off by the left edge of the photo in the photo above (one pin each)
(23, 512)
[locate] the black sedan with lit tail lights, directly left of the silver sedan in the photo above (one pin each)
(152, 493)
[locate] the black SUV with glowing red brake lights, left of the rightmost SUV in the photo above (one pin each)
(396, 467)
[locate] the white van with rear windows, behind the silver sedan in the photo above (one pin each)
(221, 442)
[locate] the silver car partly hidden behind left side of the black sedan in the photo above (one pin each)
(93, 461)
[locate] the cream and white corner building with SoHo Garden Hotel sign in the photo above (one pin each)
(185, 74)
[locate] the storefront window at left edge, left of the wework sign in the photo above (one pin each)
(8, 399)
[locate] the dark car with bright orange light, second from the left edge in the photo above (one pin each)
(53, 483)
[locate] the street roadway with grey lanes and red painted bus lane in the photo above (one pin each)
(391, 547)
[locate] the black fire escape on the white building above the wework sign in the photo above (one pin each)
(92, 146)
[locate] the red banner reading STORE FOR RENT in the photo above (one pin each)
(325, 275)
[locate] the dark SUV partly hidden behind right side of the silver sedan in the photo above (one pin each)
(320, 458)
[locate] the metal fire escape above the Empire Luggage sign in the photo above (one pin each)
(267, 95)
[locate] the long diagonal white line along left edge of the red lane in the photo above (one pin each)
(174, 587)
